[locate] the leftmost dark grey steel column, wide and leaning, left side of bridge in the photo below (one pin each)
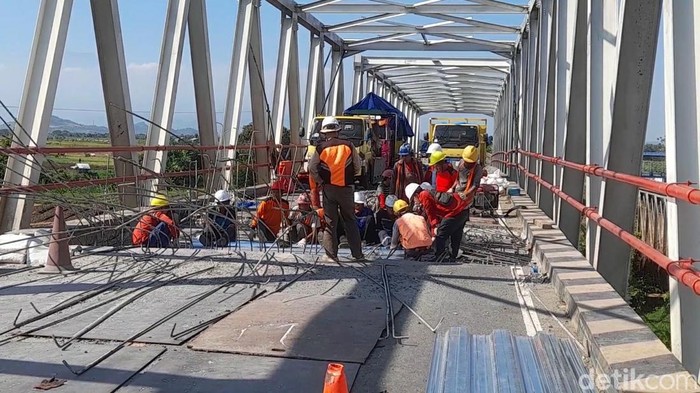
(115, 88)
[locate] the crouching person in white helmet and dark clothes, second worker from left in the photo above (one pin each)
(220, 228)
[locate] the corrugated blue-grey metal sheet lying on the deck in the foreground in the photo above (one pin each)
(501, 362)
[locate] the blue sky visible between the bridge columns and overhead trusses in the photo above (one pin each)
(79, 94)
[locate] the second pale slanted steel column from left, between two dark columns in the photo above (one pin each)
(166, 90)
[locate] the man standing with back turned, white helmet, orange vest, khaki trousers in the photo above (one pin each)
(333, 167)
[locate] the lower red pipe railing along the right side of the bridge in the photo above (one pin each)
(681, 270)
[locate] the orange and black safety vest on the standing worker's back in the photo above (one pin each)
(336, 162)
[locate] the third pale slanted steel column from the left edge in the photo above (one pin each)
(236, 85)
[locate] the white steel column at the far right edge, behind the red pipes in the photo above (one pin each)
(682, 99)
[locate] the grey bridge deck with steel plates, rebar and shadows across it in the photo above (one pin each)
(481, 296)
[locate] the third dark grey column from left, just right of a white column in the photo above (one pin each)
(258, 99)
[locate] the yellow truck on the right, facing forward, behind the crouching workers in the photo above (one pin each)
(454, 134)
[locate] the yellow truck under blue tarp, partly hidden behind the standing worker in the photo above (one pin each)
(355, 129)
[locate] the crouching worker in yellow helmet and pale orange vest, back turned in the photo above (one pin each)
(411, 230)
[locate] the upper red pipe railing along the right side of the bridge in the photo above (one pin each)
(680, 191)
